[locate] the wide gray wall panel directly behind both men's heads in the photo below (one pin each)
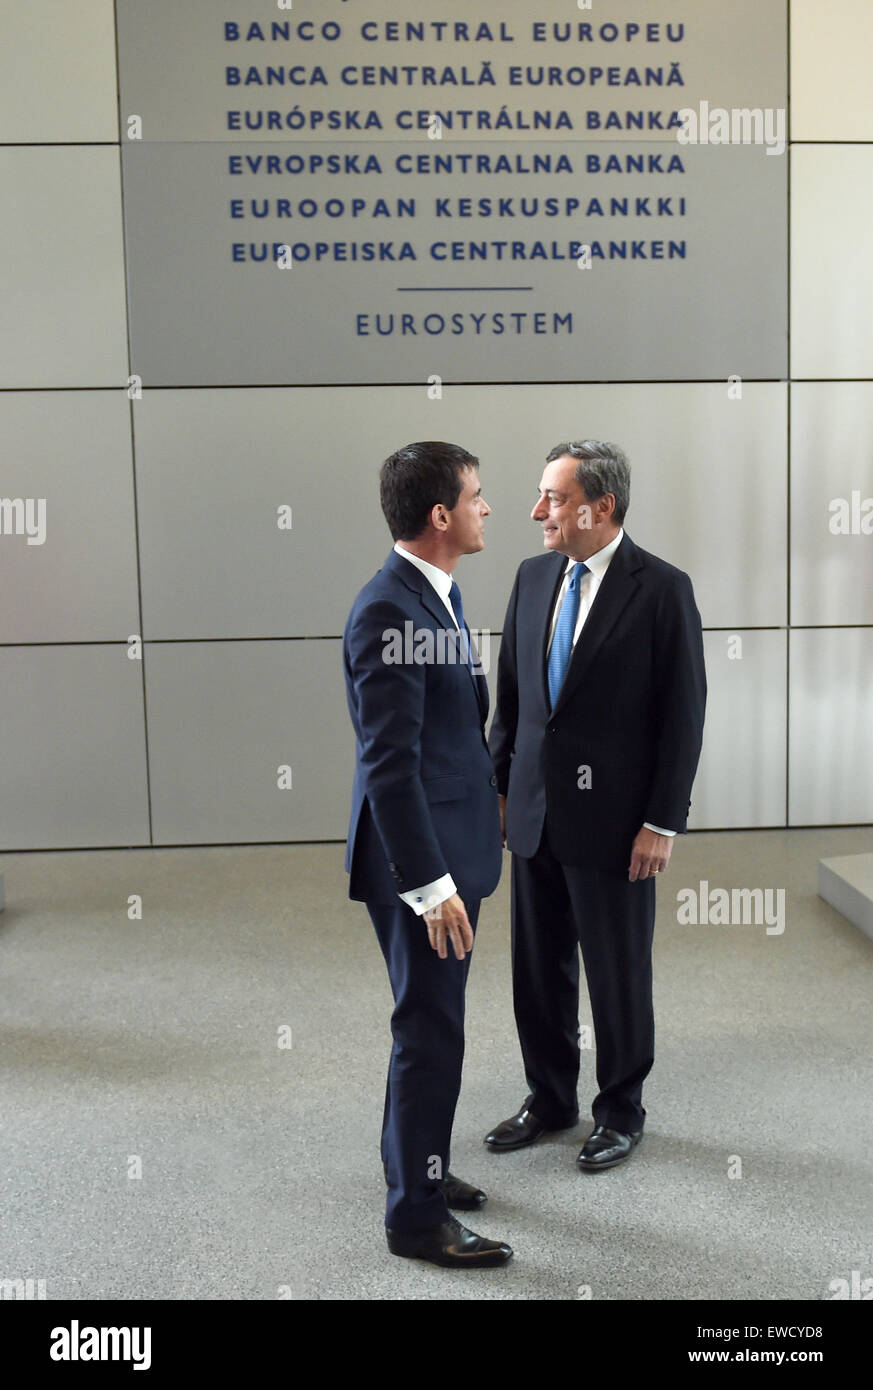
(710, 496)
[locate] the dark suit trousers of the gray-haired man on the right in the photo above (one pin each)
(557, 910)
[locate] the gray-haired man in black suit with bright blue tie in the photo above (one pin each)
(596, 742)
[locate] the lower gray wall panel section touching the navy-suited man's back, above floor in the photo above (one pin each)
(225, 717)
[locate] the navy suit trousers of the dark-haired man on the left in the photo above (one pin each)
(426, 1065)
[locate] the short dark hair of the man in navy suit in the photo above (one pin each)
(418, 477)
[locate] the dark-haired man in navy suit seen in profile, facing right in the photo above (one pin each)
(425, 840)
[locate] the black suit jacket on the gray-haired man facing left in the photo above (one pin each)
(623, 742)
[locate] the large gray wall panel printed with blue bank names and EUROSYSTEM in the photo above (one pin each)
(329, 81)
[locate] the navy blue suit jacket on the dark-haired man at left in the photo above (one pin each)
(425, 800)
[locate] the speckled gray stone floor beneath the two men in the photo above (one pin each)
(159, 1143)
